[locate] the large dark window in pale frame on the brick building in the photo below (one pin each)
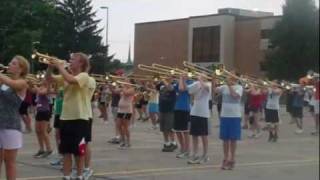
(206, 44)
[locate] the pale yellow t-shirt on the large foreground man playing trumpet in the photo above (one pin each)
(76, 98)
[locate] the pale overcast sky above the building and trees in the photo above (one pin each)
(123, 14)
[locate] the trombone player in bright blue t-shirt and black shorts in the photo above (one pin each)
(182, 116)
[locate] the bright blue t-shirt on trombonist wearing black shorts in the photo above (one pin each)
(182, 98)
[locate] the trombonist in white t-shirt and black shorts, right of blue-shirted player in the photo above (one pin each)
(199, 119)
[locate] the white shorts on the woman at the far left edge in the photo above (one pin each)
(10, 139)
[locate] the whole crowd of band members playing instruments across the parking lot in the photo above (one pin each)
(182, 108)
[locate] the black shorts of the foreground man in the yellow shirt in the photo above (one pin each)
(72, 132)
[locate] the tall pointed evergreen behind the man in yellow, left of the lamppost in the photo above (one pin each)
(81, 33)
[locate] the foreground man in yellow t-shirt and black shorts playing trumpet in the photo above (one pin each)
(75, 114)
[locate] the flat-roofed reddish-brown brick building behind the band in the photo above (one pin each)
(233, 37)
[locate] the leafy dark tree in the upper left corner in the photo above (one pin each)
(23, 22)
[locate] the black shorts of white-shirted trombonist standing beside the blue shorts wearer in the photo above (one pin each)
(198, 126)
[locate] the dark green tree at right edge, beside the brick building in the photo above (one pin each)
(295, 41)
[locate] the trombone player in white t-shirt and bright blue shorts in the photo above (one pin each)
(230, 120)
